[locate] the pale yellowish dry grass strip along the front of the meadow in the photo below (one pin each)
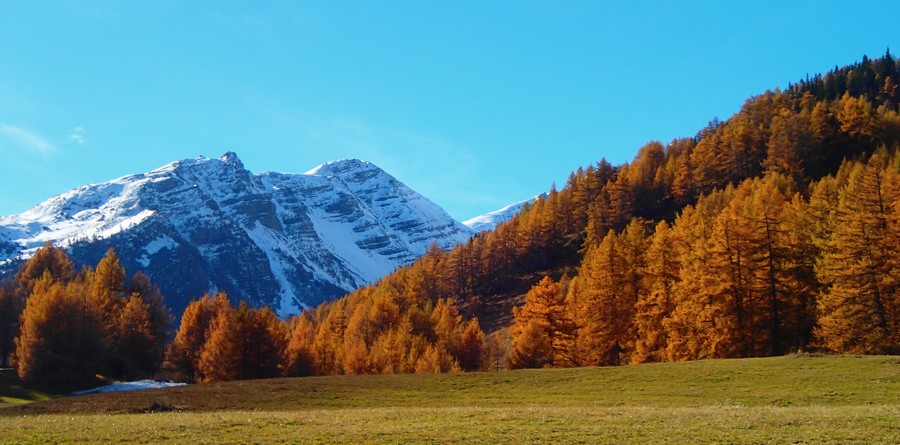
(711, 424)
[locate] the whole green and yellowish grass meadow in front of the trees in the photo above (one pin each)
(795, 399)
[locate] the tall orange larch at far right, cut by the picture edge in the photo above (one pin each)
(860, 299)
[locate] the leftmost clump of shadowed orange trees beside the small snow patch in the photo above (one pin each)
(63, 328)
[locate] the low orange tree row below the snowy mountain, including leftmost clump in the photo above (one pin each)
(64, 330)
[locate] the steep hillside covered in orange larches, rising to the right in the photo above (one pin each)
(772, 231)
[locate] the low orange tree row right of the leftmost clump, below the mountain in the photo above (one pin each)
(379, 333)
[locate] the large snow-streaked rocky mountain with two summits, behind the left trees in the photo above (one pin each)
(283, 240)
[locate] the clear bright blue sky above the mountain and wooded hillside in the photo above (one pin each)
(474, 104)
